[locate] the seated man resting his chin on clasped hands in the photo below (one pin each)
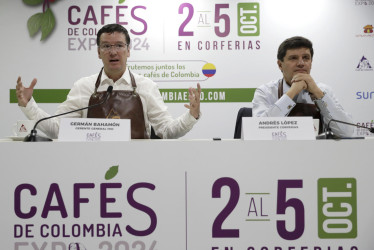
(297, 94)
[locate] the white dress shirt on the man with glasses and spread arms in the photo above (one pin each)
(155, 110)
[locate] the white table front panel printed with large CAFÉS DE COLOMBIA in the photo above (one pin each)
(234, 197)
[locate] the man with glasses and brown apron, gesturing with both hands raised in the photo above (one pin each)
(134, 97)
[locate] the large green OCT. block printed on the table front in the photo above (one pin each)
(337, 208)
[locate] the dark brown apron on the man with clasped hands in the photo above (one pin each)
(302, 109)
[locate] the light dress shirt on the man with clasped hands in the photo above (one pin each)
(266, 103)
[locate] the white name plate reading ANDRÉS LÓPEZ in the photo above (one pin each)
(278, 128)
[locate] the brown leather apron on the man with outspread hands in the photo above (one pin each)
(121, 104)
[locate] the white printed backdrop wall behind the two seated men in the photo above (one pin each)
(228, 46)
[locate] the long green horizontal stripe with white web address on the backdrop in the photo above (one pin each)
(169, 95)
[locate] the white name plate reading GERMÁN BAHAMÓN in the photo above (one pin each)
(92, 129)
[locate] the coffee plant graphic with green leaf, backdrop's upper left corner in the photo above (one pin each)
(45, 20)
